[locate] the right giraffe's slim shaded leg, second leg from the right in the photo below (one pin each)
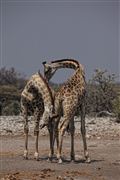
(72, 131)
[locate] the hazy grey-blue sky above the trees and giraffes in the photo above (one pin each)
(36, 31)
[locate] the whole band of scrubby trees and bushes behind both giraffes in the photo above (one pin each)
(102, 94)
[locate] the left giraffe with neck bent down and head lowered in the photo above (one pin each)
(37, 98)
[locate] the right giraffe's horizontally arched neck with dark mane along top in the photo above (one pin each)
(65, 63)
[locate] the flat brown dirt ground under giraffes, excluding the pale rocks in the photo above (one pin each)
(104, 153)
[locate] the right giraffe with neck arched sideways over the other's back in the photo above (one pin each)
(69, 101)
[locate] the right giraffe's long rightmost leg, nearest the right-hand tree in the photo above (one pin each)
(83, 132)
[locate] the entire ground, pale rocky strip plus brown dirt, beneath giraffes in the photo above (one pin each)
(103, 139)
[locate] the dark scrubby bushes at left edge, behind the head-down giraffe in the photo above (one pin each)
(11, 85)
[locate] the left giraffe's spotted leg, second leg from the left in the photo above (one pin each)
(36, 133)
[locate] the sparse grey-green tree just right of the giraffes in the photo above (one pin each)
(101, 92)
